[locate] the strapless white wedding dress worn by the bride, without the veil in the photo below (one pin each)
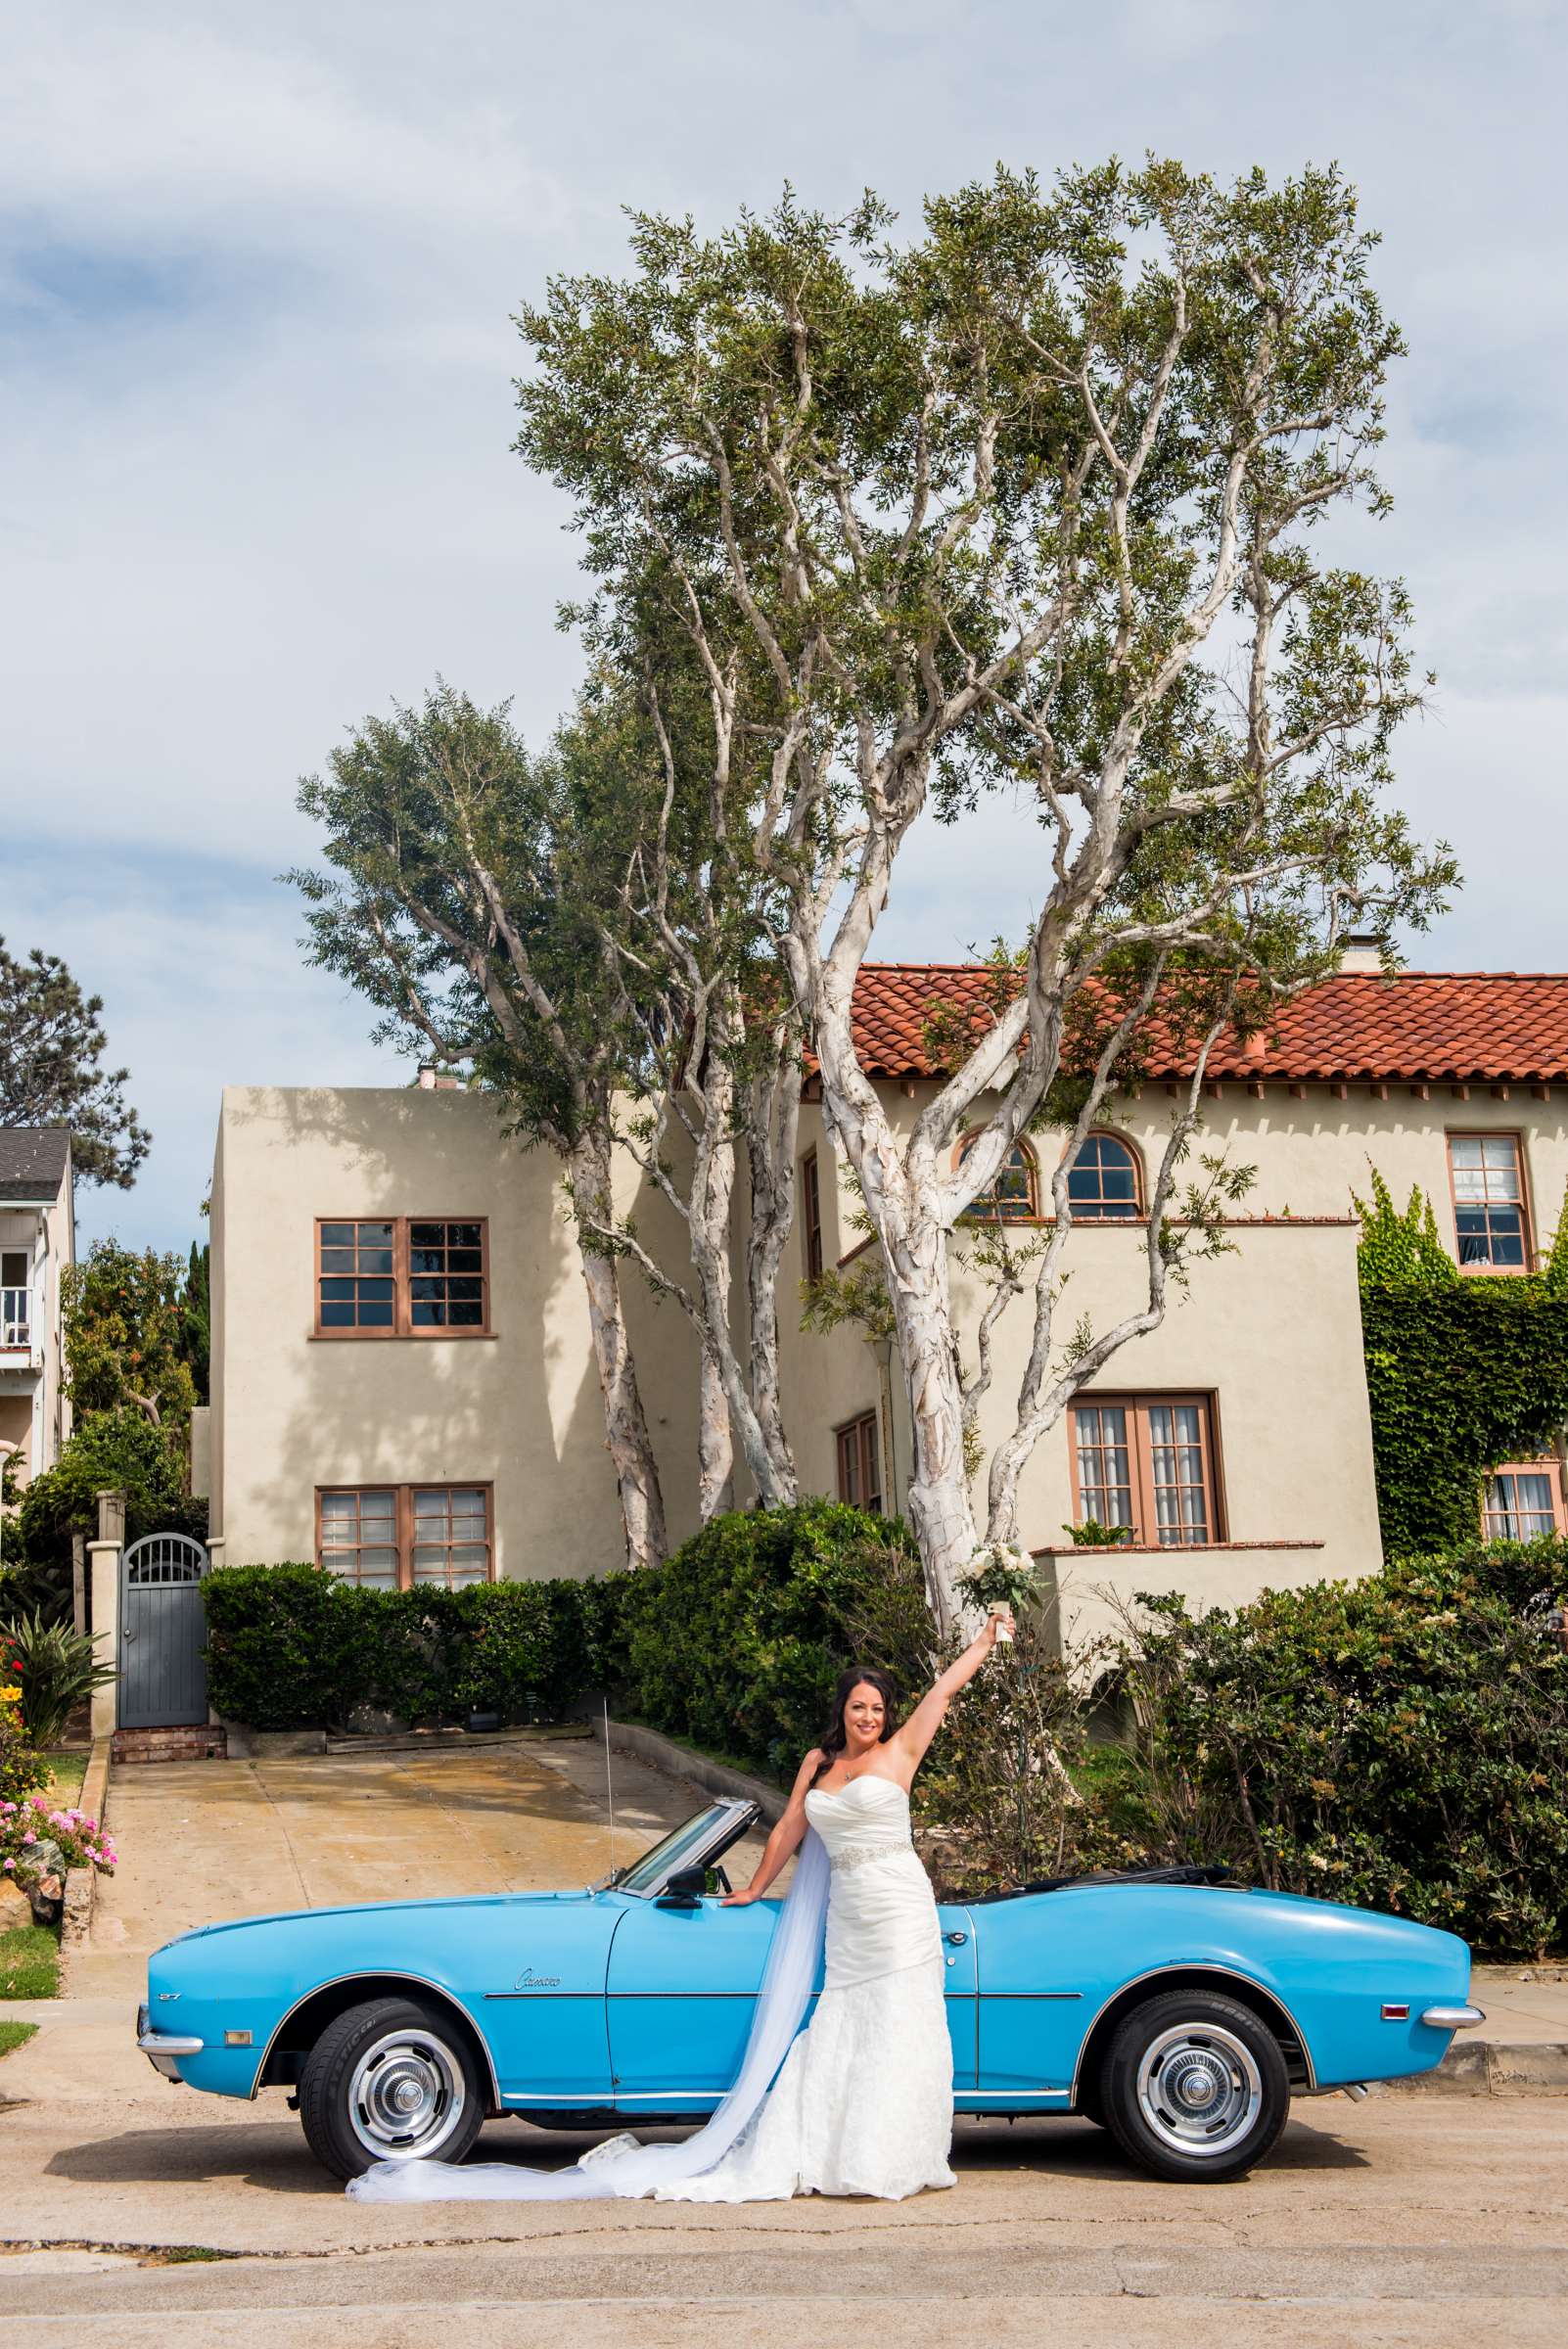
(865, 2101)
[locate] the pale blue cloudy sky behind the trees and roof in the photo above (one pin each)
(257, 271)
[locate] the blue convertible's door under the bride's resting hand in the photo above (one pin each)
(680, 2000)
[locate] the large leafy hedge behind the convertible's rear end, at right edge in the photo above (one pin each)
(1398, 1744)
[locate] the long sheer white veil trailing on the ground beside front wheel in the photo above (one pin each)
(623, 2167)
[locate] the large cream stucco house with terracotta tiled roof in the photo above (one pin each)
(405, 1387)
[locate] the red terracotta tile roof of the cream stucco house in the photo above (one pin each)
(1464, 1025)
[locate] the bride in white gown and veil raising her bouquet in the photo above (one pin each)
(863, 2099)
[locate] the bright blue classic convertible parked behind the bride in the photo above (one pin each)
(1170, 2007)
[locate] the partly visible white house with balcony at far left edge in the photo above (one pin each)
(36, 1246)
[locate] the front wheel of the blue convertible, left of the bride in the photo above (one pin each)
(391, 2082)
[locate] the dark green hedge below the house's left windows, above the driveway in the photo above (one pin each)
(736, 1643)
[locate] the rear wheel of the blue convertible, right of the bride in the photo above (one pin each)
(1196, 2087)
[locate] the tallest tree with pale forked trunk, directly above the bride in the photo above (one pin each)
(1034, 502)
